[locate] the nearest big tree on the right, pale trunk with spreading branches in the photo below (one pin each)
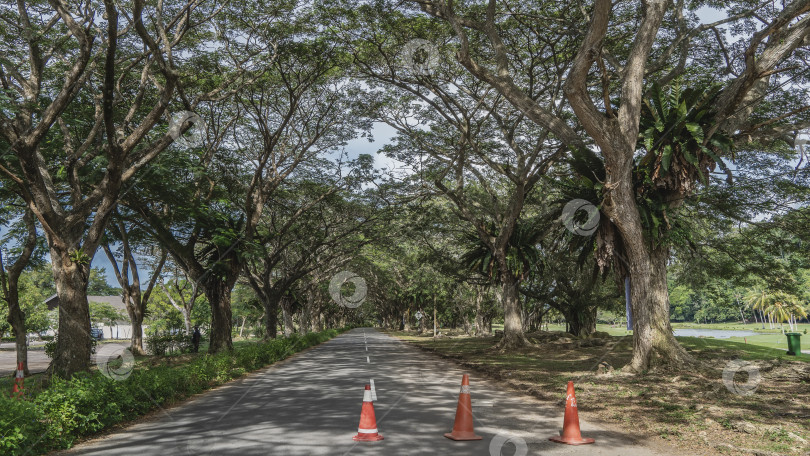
(613, 120)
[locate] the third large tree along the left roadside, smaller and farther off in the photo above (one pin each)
(313, 226)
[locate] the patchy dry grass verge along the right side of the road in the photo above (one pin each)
(694, 411)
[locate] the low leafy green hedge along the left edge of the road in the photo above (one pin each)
(56, 417)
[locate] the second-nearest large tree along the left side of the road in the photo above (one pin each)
(295, 113)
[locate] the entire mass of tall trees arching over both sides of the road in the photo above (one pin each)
(547, 154)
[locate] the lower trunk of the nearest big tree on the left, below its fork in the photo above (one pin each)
(73, 344)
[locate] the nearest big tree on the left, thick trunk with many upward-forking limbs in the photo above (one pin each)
(73, 180)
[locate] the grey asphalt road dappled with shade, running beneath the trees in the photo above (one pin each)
(310, 405)
